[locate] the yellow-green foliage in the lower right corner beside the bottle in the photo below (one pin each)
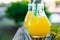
(55, 35)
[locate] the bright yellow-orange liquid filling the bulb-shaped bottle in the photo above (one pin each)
(37, 26)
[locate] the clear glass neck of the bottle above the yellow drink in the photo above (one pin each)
(39, 10)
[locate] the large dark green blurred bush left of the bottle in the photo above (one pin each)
(17, 11)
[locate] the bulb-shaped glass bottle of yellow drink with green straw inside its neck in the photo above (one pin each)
(36, 22)
